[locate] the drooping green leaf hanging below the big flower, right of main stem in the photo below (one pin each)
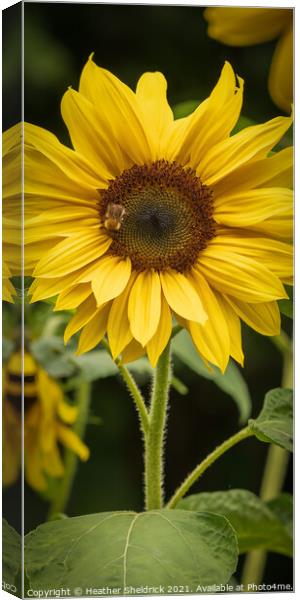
(232, 382)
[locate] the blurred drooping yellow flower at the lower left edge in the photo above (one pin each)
(47, 417)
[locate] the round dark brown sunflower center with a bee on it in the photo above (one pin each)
(160, 215)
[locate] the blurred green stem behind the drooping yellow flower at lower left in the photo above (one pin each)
(63, 493)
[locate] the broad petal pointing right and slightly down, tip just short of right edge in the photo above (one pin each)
(240, 276)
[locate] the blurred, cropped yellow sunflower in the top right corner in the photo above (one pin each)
(249, 26)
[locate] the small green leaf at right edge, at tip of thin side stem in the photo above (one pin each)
(274, 424)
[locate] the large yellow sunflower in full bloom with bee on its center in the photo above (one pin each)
(150, 219)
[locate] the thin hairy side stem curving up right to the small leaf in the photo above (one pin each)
(206, 463)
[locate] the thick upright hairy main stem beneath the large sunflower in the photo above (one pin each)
(154, 460)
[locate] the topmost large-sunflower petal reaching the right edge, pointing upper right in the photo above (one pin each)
(252, 143)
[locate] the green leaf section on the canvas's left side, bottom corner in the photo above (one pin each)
(11, 556)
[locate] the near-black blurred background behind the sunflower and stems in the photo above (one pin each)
(129, 40)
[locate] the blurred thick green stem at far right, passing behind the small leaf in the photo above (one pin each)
(274, 471)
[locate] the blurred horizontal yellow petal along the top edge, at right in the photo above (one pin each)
(246, 26)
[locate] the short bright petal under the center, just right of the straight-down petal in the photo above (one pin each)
(182, 296)
